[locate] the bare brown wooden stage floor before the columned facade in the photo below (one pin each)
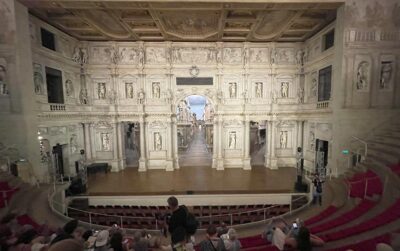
(196, 180)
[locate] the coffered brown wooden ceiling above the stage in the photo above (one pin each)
(185, 20)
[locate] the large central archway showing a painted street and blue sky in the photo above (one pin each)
(195, 115)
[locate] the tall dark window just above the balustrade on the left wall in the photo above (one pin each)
(54, 86)
